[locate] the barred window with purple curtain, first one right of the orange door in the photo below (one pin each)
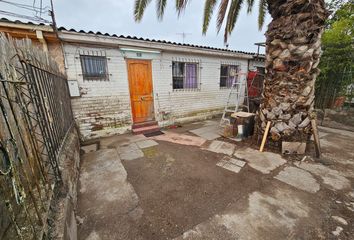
(184, 75)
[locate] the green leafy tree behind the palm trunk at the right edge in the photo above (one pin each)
(337, 58)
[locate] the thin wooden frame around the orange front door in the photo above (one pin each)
(129, 60)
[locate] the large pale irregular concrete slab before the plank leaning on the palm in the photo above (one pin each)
(265, 162)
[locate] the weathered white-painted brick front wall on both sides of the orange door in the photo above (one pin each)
(104, 106)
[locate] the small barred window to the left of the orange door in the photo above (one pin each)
(94, 67)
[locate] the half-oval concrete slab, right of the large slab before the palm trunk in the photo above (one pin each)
(298, 178)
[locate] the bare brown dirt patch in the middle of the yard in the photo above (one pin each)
(180, 186)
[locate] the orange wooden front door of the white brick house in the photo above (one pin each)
(140, 85)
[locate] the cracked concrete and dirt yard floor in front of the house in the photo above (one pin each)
(144, 188)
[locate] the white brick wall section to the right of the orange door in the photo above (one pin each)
(208, 99)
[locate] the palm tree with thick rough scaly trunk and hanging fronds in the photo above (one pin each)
(293, 46)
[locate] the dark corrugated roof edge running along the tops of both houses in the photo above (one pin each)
(134, 38)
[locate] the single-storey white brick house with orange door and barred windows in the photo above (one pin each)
(120, 83)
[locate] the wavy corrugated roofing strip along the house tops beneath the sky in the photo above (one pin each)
(137, 38)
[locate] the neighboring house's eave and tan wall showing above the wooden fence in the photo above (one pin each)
(41, 35)
